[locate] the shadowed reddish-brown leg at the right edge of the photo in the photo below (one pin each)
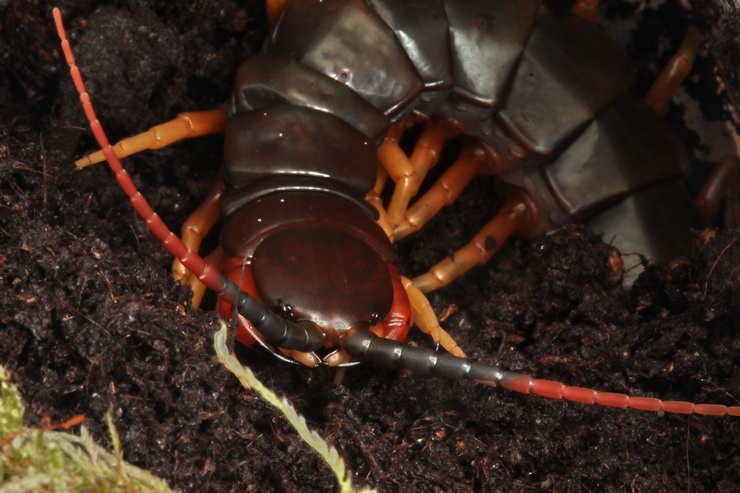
(724, 181)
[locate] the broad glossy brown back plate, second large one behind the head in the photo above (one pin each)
(263, 145)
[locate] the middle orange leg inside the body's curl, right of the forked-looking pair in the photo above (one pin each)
(444, 192)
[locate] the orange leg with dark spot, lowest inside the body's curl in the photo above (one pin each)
(514, 215)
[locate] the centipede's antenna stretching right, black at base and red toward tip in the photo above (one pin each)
(363, 344)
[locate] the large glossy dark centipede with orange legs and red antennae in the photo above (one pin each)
(335, 118)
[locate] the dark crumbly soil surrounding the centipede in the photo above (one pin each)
(91, 321)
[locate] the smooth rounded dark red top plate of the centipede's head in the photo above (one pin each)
(323, 275)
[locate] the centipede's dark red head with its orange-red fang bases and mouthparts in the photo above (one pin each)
(321, 275)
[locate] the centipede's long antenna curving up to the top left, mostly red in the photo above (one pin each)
(277, 330)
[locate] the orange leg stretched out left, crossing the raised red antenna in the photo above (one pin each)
(184, 126)
